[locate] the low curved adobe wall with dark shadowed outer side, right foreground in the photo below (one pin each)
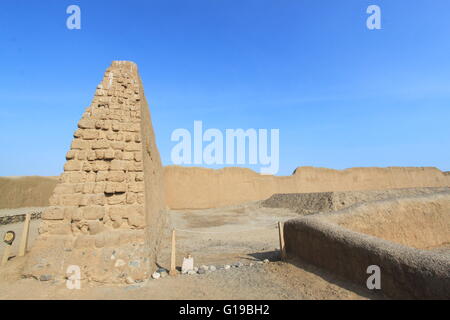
(381, 233)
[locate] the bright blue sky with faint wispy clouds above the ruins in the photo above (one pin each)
(341, 95)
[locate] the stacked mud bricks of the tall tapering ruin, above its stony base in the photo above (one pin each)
(101, 194)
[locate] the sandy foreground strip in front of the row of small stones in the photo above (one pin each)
(269, 281)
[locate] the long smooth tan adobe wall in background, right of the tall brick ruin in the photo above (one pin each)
(199, 188)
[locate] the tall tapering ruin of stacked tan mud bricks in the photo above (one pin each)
(105, 214)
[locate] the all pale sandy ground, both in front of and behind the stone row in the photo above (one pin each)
(245, 233)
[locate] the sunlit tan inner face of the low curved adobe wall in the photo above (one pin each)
(418, 222)
